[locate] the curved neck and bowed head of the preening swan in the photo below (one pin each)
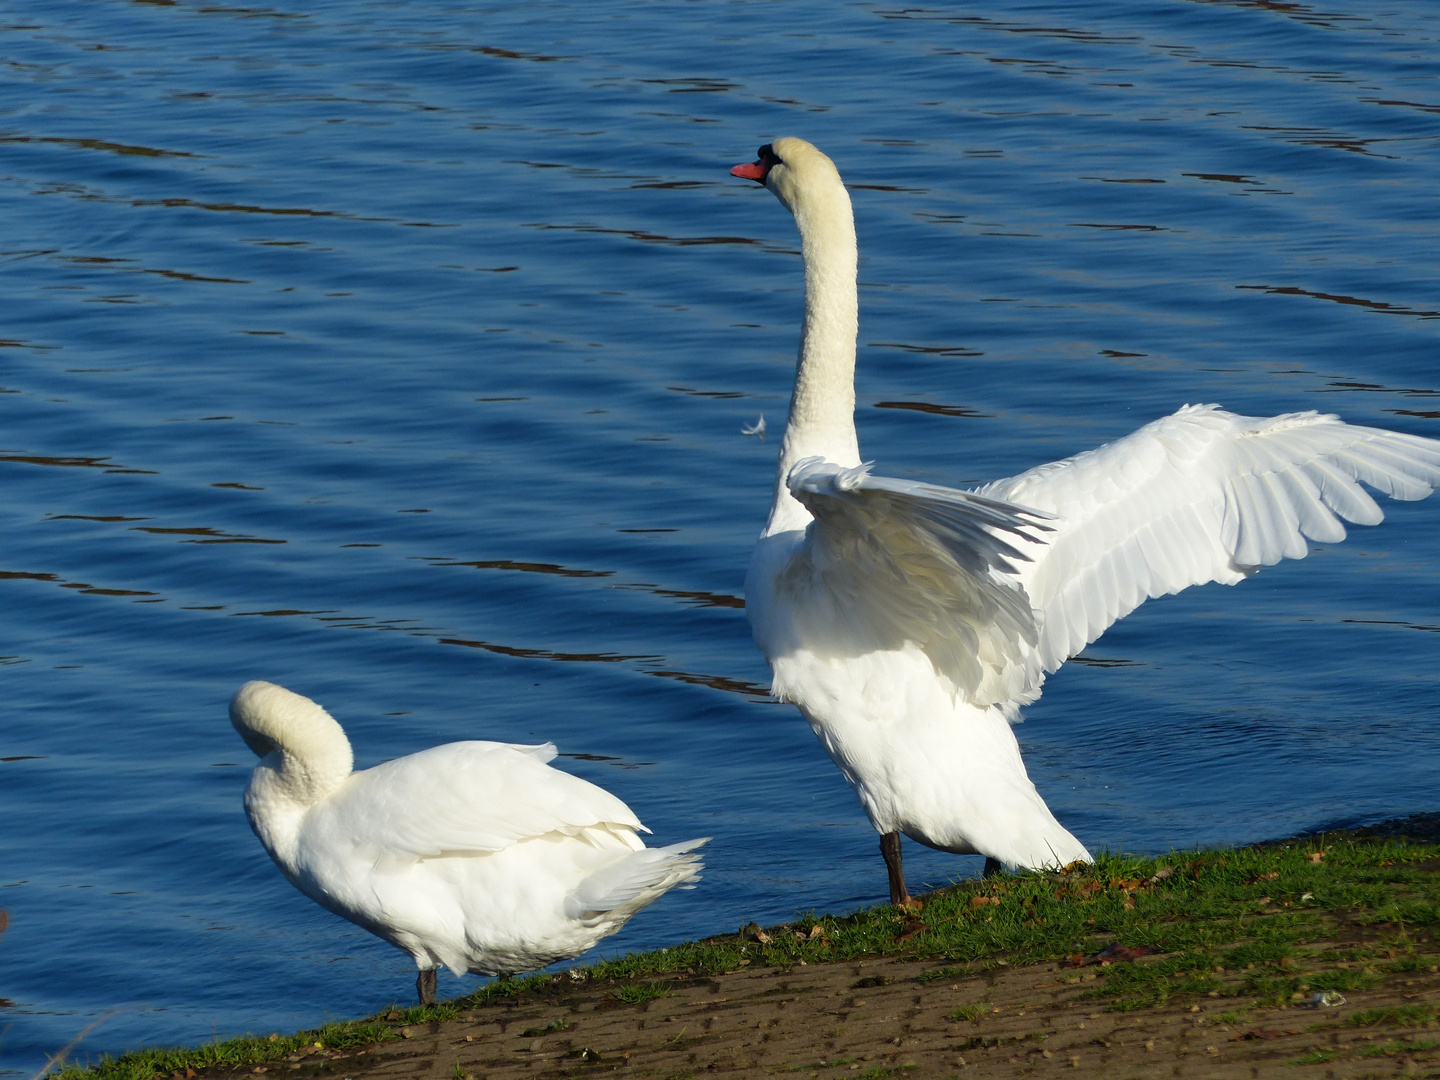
(296, 738)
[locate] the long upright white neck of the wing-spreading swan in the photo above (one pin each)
(823, 408)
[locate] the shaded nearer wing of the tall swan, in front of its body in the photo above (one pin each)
(889, 562)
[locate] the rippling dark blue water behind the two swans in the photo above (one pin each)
(400, 354)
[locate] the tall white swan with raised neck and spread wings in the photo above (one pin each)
(911, 623)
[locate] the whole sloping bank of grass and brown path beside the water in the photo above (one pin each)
(1310, 957)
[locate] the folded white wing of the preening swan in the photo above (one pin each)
(474, 798)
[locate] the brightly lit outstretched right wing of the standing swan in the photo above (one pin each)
(1202, 496)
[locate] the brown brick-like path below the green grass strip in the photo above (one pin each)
(881, 1019)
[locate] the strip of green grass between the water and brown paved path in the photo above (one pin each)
(1251, 927)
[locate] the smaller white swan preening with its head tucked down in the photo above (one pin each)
(476, 856)
